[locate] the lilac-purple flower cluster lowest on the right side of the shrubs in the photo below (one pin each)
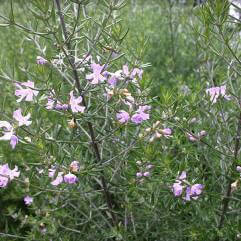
(192, 191)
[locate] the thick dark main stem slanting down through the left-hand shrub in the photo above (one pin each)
(106, 192)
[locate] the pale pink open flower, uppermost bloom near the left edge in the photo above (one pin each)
(27, 93)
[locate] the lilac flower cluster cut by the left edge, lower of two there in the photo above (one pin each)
(7, 175)
